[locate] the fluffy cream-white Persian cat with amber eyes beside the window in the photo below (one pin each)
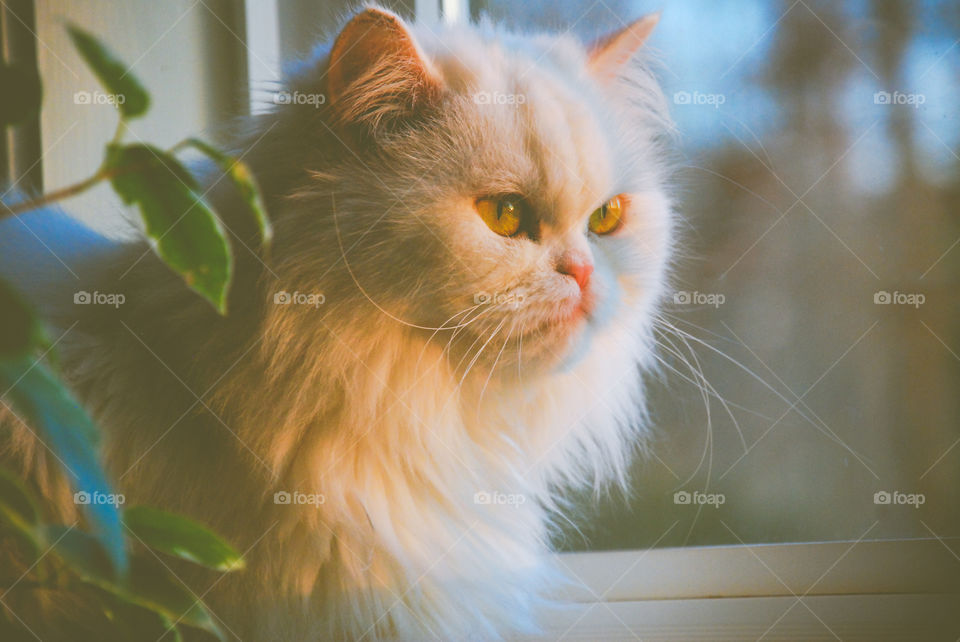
(472, 238)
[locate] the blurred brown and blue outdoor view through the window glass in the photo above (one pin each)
(819, 179)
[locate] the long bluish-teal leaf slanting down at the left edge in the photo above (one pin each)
(70, 434)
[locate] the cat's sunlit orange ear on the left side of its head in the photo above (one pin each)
(376, 72)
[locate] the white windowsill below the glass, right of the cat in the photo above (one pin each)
(871, 590)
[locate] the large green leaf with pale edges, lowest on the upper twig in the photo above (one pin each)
(183, 229)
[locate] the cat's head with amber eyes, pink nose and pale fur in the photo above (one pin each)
(519, 211)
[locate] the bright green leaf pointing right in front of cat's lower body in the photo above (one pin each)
(182, 537)
